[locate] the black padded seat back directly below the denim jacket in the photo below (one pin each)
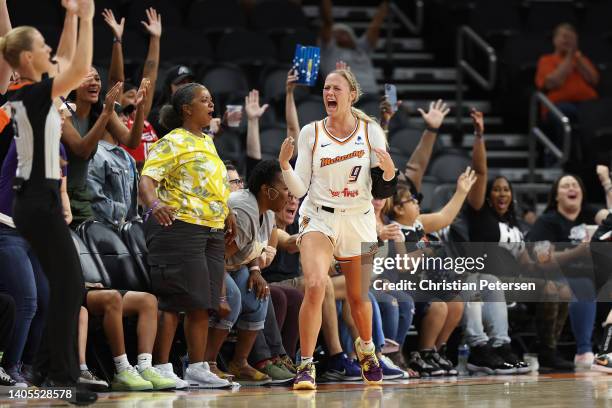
(109, 251)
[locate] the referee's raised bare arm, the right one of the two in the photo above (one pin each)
(78, 68)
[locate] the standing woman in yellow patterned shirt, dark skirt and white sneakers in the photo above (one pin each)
(184, 185)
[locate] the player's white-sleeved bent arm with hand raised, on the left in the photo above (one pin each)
(298, 180)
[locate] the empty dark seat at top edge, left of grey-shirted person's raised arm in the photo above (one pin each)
(265, 16)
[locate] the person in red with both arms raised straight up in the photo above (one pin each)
(129, 95)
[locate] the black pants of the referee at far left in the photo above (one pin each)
(38, 216)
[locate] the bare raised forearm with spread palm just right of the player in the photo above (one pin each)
(419, 160)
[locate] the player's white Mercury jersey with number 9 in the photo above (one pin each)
(341, 168)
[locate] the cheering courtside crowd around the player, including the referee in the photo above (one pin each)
(222, 250)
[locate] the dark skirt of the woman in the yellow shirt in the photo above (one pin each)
(187, 265)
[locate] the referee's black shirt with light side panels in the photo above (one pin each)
(37, 126)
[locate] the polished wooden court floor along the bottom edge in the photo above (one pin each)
(581, 390)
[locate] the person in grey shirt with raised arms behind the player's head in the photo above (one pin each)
(339, 43)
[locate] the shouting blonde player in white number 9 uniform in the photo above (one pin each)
(342, 163)
